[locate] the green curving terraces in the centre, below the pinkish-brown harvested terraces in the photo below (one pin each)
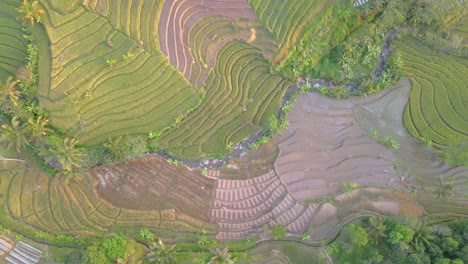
(240, 94)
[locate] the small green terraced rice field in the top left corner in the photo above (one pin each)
(12, 44)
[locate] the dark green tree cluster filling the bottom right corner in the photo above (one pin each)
(400, 240)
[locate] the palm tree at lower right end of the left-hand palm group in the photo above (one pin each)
(65, 154)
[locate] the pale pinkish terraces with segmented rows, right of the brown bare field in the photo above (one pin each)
(244, 208)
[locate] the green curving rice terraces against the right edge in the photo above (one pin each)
(438, 103)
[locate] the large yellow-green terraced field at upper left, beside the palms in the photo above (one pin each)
(133, 97)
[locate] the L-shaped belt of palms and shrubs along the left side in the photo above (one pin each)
(24, 126)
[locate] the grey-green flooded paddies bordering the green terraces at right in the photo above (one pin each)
(417, 165)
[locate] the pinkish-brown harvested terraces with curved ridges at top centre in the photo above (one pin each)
(191, 33)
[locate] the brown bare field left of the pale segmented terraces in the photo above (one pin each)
(152, 184)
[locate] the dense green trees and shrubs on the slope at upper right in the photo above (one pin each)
(351, 45)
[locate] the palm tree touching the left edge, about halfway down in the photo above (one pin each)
(14, 133)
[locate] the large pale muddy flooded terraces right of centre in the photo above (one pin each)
(327, 143)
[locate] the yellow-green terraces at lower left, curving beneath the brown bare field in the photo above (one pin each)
(48, 204)
